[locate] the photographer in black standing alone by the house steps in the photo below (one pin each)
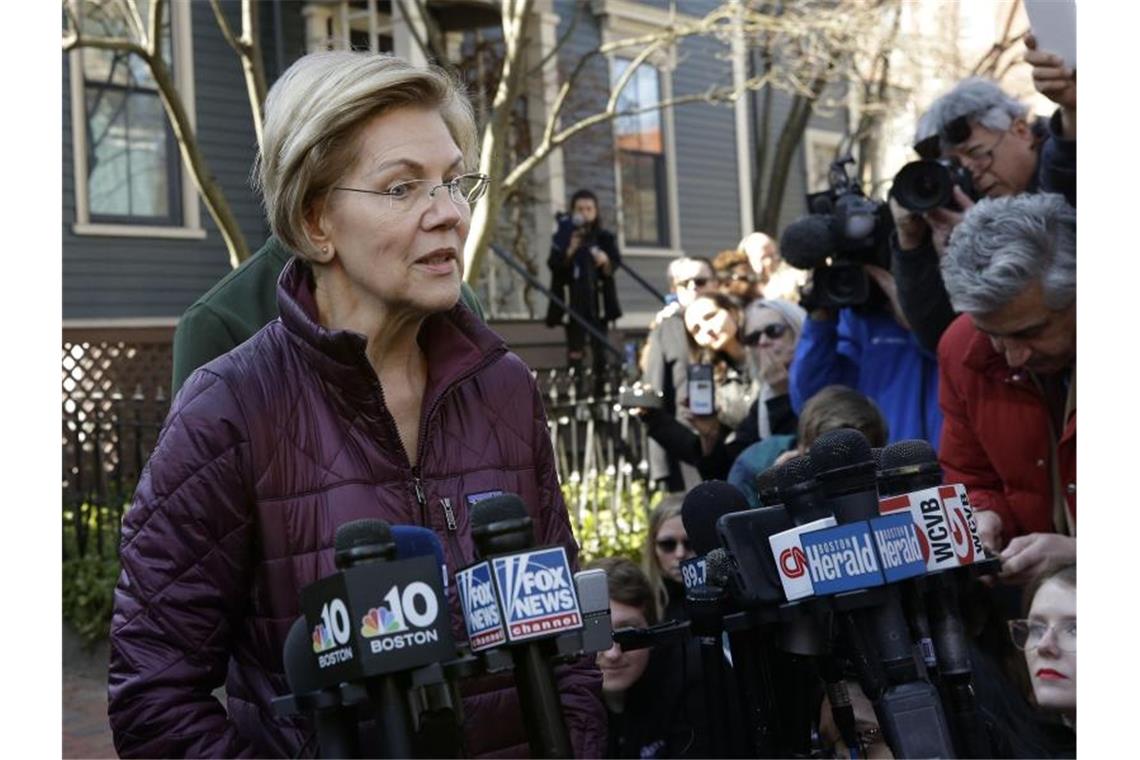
(584, 257)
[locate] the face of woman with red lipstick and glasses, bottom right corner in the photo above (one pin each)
(1052, 668)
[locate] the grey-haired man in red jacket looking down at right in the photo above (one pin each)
(1008, 378)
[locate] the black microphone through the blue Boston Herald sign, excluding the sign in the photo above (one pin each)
(910, 713)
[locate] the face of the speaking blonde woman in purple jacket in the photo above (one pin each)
(400, 258)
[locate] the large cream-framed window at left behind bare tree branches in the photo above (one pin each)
(128, 170)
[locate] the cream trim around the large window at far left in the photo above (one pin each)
(183, 51)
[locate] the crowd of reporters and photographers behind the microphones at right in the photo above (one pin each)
(967, 342)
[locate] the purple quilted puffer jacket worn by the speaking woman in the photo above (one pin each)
(266, 452)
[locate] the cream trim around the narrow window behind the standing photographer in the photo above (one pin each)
(620, 28)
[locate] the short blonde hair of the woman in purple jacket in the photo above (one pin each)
(314, 113)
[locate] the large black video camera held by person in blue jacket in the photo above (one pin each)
(844, 231)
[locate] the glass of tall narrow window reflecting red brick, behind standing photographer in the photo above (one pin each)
(641, 158)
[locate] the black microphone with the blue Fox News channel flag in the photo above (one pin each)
(538, 602)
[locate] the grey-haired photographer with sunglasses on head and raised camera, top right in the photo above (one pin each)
(989, 149)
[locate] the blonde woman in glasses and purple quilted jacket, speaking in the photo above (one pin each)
(374, 395)
